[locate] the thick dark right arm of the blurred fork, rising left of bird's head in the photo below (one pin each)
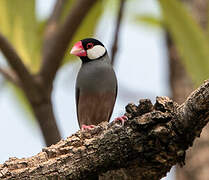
(52, 58)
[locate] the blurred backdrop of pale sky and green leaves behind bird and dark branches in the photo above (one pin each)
(163, 50)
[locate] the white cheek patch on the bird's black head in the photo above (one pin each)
(95, 52)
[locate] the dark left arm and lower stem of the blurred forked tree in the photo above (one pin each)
(38, 97)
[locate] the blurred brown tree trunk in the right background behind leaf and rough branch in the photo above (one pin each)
(197, 160)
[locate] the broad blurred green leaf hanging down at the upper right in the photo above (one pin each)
(191, 42)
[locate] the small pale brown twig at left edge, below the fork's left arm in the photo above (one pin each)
(10, 75)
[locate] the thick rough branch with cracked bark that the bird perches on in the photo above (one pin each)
(152, 140)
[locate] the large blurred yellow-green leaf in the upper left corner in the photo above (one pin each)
(18, 23)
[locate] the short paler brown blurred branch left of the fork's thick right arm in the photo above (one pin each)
(52, 23)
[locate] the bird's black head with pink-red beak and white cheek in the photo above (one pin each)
(89, 49)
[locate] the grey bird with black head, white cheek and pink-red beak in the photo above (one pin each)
(96, 84)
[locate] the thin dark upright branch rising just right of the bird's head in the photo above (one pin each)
(117, 31)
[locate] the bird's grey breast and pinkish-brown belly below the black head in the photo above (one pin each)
(96, 90)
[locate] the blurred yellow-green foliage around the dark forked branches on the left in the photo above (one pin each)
(18, 22)
